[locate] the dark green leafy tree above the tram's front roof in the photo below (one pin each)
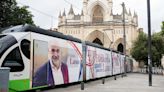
(11, 14)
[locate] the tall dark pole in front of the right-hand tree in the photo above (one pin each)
(149, 43)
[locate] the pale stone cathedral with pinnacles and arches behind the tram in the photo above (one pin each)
(98, 24)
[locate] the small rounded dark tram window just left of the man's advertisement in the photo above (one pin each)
(25, 47)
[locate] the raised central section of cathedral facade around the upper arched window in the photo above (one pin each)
(97, 10)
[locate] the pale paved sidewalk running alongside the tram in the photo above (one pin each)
(132, 83)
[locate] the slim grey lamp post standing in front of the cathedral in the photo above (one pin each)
(124, 36)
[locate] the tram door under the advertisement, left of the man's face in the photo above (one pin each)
(40, 58)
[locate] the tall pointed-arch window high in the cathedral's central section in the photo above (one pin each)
(97, 14)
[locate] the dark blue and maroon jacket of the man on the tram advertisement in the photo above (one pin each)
(44, 75)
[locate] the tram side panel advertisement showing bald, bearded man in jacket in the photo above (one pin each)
(44, 71)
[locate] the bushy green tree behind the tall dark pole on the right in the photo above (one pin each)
(140, 48)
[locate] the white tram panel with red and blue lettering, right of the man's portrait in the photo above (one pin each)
(98, 63)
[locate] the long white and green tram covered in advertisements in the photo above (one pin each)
(25, 49)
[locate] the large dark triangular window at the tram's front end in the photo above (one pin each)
(14, 61)
